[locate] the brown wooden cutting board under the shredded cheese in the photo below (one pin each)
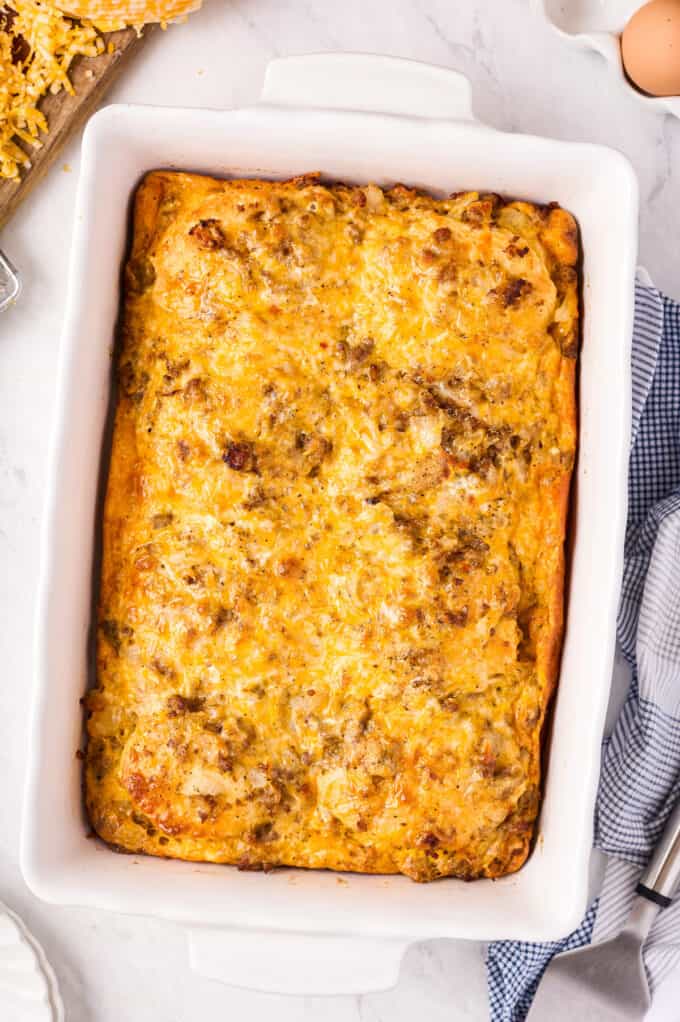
(90, 77)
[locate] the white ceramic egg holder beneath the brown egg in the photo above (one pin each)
(597, 25)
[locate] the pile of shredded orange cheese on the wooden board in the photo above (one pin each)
(37, 47)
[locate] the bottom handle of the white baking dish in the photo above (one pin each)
(296, 963)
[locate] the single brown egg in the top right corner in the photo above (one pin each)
(651, 49)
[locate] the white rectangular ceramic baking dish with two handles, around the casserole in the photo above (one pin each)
(361, 119)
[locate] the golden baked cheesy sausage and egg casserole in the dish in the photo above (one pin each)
(331, 609)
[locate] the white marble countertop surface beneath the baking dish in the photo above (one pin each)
(525, 79)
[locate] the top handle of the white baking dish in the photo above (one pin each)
(369, 82)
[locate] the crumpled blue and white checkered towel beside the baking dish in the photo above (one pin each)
(641, 775)
